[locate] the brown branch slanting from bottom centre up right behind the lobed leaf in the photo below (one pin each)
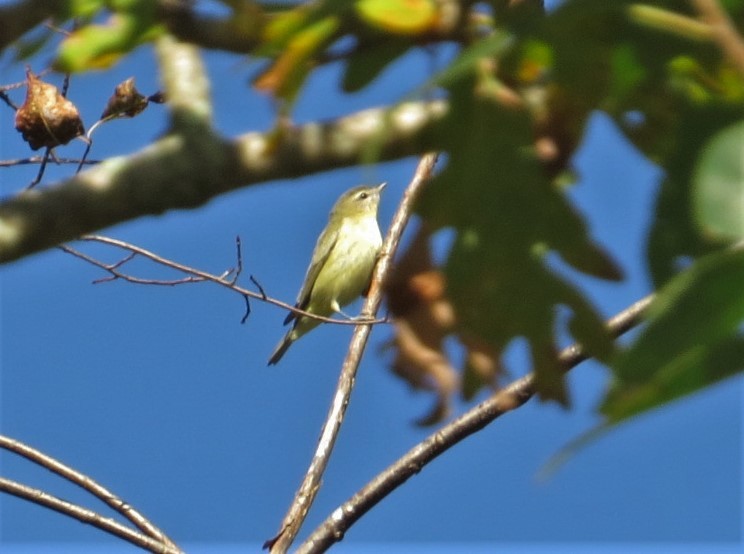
(505, 400)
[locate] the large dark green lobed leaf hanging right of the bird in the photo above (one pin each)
(507, 216)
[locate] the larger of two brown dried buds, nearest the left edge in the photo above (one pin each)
(46, 119)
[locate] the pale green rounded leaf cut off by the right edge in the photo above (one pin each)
(718, 183)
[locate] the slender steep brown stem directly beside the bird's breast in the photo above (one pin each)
(311, 483)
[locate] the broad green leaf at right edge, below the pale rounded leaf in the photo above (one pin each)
(691, 341)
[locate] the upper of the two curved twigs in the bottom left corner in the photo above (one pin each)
(88, 484)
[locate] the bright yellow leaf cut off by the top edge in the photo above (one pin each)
(405, 17)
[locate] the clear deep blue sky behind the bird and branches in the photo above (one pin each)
(162, 396)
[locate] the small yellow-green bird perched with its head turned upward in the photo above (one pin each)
(342, 262)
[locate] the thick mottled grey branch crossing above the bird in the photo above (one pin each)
(178, 172)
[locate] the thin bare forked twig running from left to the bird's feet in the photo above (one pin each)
(194, 275)
